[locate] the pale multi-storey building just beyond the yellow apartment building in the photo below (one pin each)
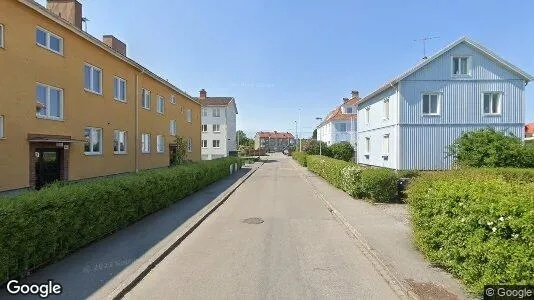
(218, 127)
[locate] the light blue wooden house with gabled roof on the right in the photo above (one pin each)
(409, 122)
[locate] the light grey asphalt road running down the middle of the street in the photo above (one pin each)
(300, 251)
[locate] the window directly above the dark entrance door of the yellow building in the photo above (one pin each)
(49, 102)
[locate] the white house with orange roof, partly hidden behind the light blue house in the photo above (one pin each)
(340, 124)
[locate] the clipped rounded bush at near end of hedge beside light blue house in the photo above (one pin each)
(379, 184)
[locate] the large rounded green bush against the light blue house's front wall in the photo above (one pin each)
(491, 148)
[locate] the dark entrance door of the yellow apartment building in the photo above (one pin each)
(47, 167)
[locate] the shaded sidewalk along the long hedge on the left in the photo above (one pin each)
(98, 269)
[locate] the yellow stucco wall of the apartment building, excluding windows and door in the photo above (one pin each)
(23, 64)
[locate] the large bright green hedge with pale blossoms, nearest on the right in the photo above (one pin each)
(478, 224)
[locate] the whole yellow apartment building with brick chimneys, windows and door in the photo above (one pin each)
(75, 107)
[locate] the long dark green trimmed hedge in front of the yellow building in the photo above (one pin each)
(40, 227)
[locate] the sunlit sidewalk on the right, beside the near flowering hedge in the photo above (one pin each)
(386, 229)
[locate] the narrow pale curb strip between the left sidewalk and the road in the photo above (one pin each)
(160, 254)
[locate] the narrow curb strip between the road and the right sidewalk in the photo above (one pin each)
(398, 286)
